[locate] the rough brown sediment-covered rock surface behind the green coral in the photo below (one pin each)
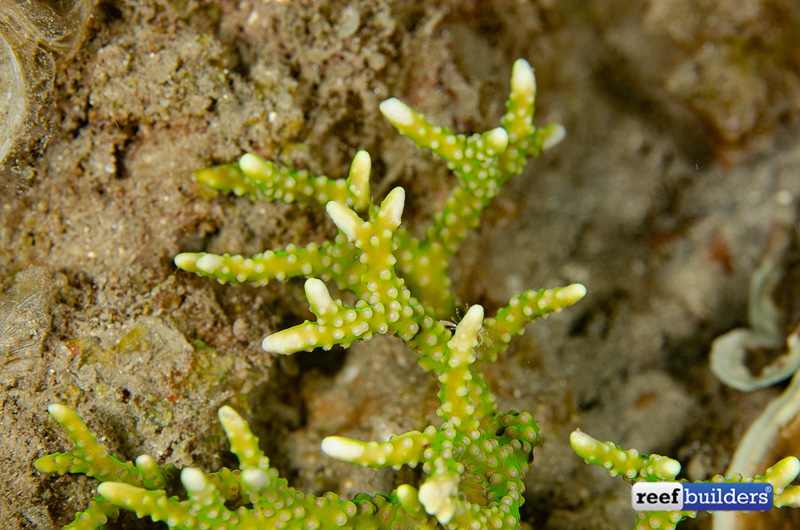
(679, 173)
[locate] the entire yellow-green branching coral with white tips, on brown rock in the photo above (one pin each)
(475, 460)
